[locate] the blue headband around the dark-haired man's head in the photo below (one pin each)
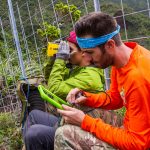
(93, 42)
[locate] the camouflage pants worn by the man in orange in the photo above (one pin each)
(70, 137)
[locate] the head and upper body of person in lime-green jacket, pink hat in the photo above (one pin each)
(81, 74)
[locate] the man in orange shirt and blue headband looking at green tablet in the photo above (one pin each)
(98, 35)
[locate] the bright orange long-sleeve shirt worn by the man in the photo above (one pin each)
(130, 87)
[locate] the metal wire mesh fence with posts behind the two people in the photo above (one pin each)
(27, 26)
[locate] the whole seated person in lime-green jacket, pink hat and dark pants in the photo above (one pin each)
(40, 127)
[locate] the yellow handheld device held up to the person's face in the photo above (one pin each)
(52, 49)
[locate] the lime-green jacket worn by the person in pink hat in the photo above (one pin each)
(62, 79)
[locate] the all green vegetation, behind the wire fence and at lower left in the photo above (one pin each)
(137, 25)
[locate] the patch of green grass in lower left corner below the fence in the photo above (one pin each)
(10, 132)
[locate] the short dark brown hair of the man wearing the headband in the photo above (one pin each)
(97, 24)
